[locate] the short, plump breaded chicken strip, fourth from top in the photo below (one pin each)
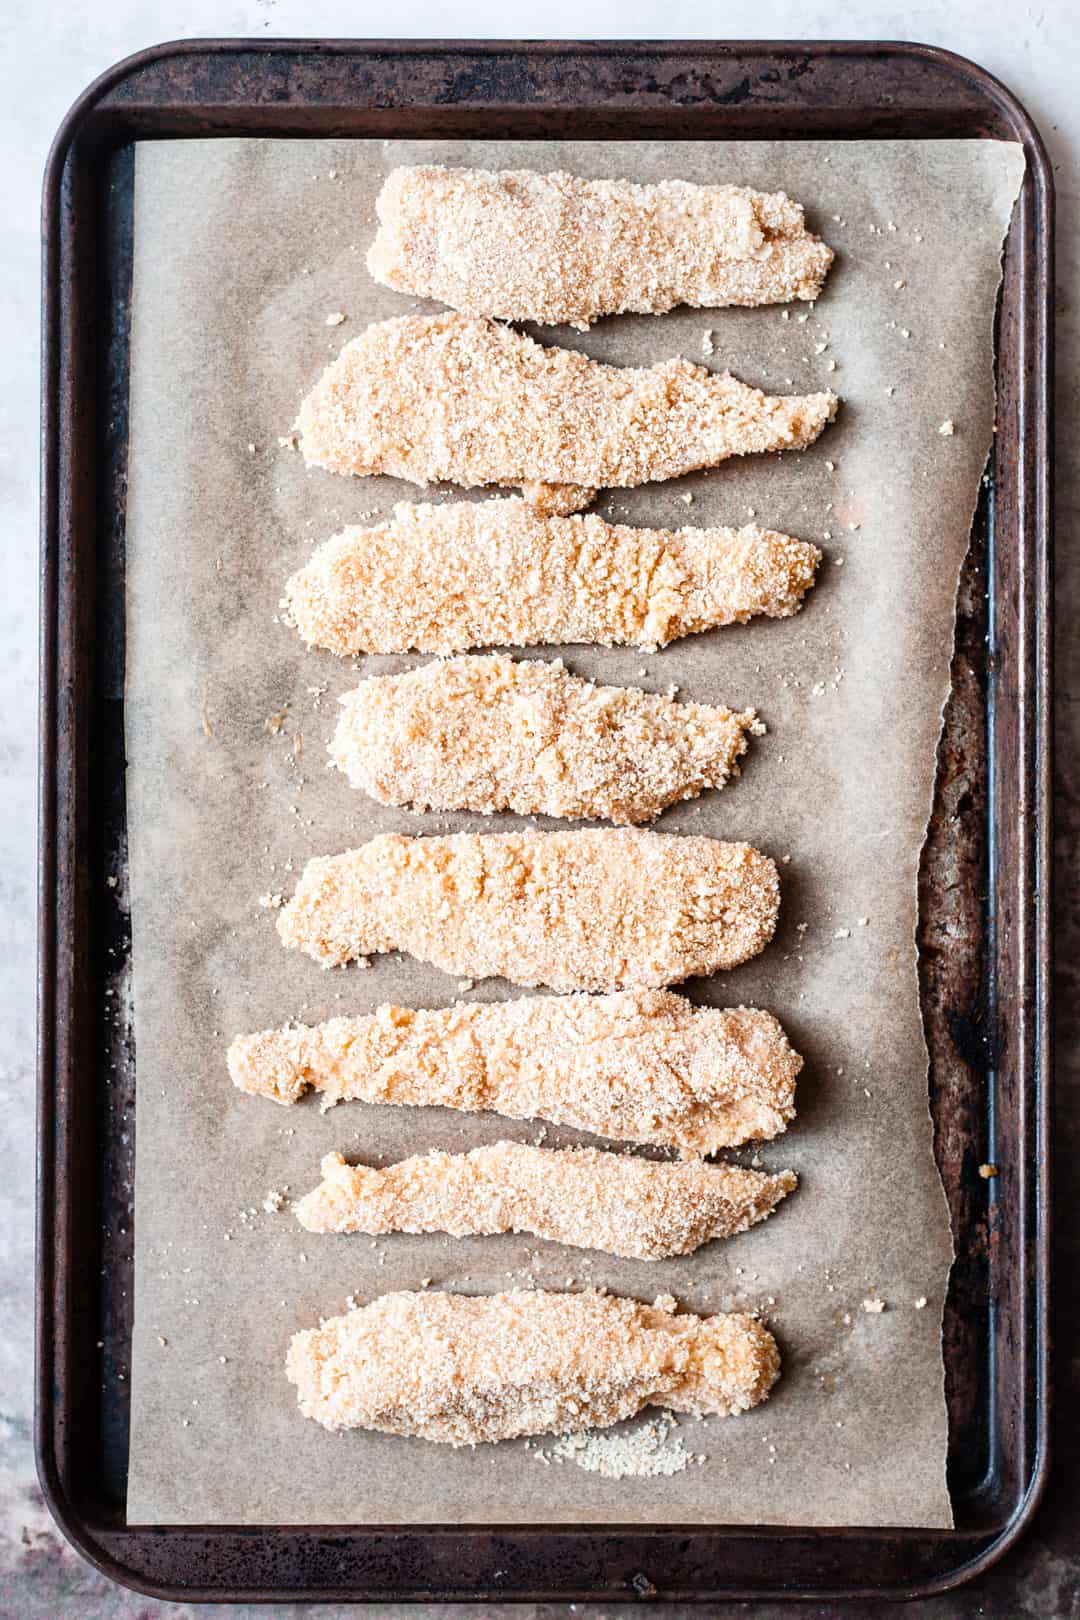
(500, 735)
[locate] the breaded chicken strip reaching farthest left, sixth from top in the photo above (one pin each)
(634, 1067)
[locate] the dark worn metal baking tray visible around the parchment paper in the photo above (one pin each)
(985, 932)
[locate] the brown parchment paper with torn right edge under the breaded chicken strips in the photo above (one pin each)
(244, 249)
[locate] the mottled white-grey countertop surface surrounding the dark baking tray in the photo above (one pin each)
(54, 51)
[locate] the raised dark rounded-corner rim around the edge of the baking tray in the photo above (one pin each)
(64, 1509)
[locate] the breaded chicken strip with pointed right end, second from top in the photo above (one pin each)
(474, 403)
